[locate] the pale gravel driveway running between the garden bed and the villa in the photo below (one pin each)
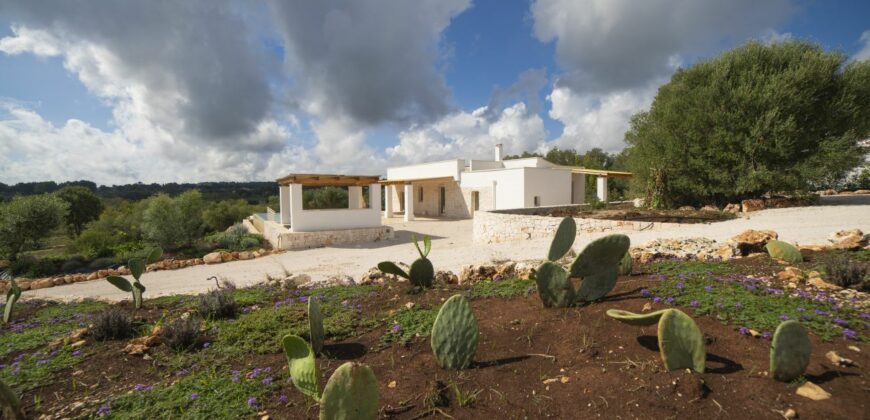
(452, 248)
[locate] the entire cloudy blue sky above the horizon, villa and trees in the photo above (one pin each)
(232, 90)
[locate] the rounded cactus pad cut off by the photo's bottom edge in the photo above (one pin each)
(350, 394)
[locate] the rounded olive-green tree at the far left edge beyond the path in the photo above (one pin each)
(26, 221)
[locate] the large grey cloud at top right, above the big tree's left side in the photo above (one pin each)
(609, 45)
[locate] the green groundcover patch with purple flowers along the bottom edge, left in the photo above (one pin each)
(201, 395)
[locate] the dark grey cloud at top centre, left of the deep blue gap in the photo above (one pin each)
(371, 61)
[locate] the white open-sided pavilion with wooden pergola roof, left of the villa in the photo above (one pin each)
(357, 215)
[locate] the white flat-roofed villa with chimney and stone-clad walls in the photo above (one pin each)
(457, 188)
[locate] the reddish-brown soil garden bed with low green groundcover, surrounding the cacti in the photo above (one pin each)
(531, 362)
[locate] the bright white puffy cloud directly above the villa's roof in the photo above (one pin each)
(470, 135)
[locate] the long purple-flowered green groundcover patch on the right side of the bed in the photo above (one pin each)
(746, 302)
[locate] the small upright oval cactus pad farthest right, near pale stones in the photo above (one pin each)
(789, 351)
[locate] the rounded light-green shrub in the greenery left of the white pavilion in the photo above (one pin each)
(173, 222)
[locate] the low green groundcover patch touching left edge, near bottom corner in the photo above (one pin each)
(29, 371)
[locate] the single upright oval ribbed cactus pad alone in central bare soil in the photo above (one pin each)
(454, 334)
